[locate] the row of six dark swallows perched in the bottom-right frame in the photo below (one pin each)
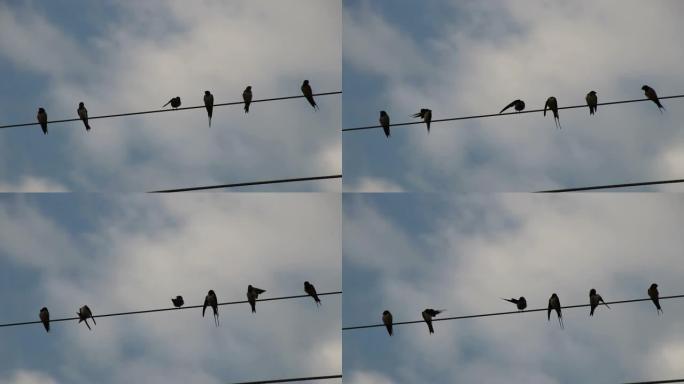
(521, 303)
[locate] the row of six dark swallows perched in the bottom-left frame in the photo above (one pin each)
(210, 301)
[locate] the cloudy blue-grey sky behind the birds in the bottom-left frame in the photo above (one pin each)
(136, 252)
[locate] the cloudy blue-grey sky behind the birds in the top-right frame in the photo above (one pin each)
(466, 57)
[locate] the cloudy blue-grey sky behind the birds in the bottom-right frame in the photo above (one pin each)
(409, 252)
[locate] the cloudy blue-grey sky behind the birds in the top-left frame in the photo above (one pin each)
(132, 56)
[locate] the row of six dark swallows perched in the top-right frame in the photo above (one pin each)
(519, 105)
